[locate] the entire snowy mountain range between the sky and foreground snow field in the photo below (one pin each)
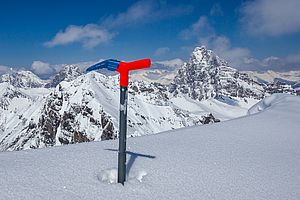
(73, 107)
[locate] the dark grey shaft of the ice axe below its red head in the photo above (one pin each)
(122, 135)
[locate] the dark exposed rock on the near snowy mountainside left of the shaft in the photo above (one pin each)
(65, 127)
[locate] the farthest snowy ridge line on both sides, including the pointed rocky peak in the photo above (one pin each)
(205, 70)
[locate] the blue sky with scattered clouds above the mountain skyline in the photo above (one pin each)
(258, 34)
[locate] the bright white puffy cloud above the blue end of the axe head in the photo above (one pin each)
(89, 36)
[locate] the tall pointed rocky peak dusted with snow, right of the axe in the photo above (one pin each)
(207, 76)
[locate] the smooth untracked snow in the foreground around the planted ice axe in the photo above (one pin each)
(253, 157)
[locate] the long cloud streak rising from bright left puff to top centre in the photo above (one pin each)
(92, 35)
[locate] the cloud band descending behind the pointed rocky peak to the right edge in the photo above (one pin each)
(238, 57)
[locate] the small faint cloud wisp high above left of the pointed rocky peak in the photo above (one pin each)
(196, 29)
